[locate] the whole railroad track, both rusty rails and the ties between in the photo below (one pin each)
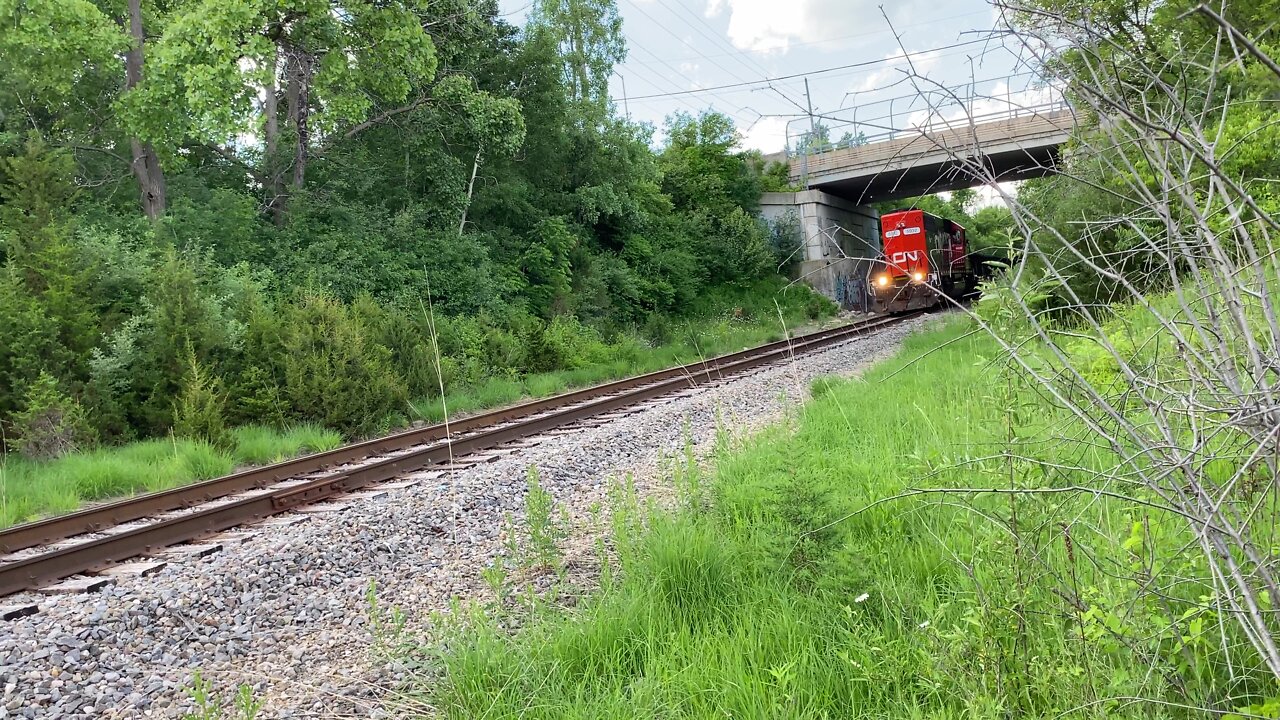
(94, 540)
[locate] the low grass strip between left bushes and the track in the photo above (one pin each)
(35, 490)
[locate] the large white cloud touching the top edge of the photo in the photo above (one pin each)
(770, 26)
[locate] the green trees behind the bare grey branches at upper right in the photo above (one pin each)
(1118, 220)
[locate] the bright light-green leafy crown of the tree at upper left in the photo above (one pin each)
(204, 70)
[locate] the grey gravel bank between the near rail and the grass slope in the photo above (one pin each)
(285, 609)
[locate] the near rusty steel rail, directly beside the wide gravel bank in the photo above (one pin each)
(49, 567)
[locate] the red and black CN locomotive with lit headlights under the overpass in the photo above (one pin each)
(926, 261)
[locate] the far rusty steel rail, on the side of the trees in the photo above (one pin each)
(95, 520)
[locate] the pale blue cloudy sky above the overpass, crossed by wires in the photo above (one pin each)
(682, 53)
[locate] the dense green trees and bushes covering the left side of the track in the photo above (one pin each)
(486, 234)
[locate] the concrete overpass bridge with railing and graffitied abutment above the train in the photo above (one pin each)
(932, 152)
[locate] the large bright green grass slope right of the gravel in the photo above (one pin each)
(798, 590)
